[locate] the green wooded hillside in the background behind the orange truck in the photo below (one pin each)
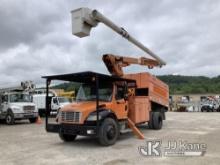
(178, 84)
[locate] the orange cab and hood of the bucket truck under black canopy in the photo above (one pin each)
(112, 98)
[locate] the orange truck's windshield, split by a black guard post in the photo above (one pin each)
(88, 93)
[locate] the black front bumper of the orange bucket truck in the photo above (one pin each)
(72, 129)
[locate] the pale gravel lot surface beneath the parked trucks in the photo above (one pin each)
(25, 143)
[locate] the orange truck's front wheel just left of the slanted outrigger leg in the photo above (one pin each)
(108, 132)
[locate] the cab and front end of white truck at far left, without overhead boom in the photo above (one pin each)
(17, 106)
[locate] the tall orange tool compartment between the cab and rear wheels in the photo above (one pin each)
(139, 108)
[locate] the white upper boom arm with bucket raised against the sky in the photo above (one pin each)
(83, 19)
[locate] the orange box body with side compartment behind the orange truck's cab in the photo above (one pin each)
(152, 90)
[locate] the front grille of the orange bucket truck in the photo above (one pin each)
(71, 117)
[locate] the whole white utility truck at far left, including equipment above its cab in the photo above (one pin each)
(16, 103)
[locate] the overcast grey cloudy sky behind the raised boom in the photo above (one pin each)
(36, 39)
